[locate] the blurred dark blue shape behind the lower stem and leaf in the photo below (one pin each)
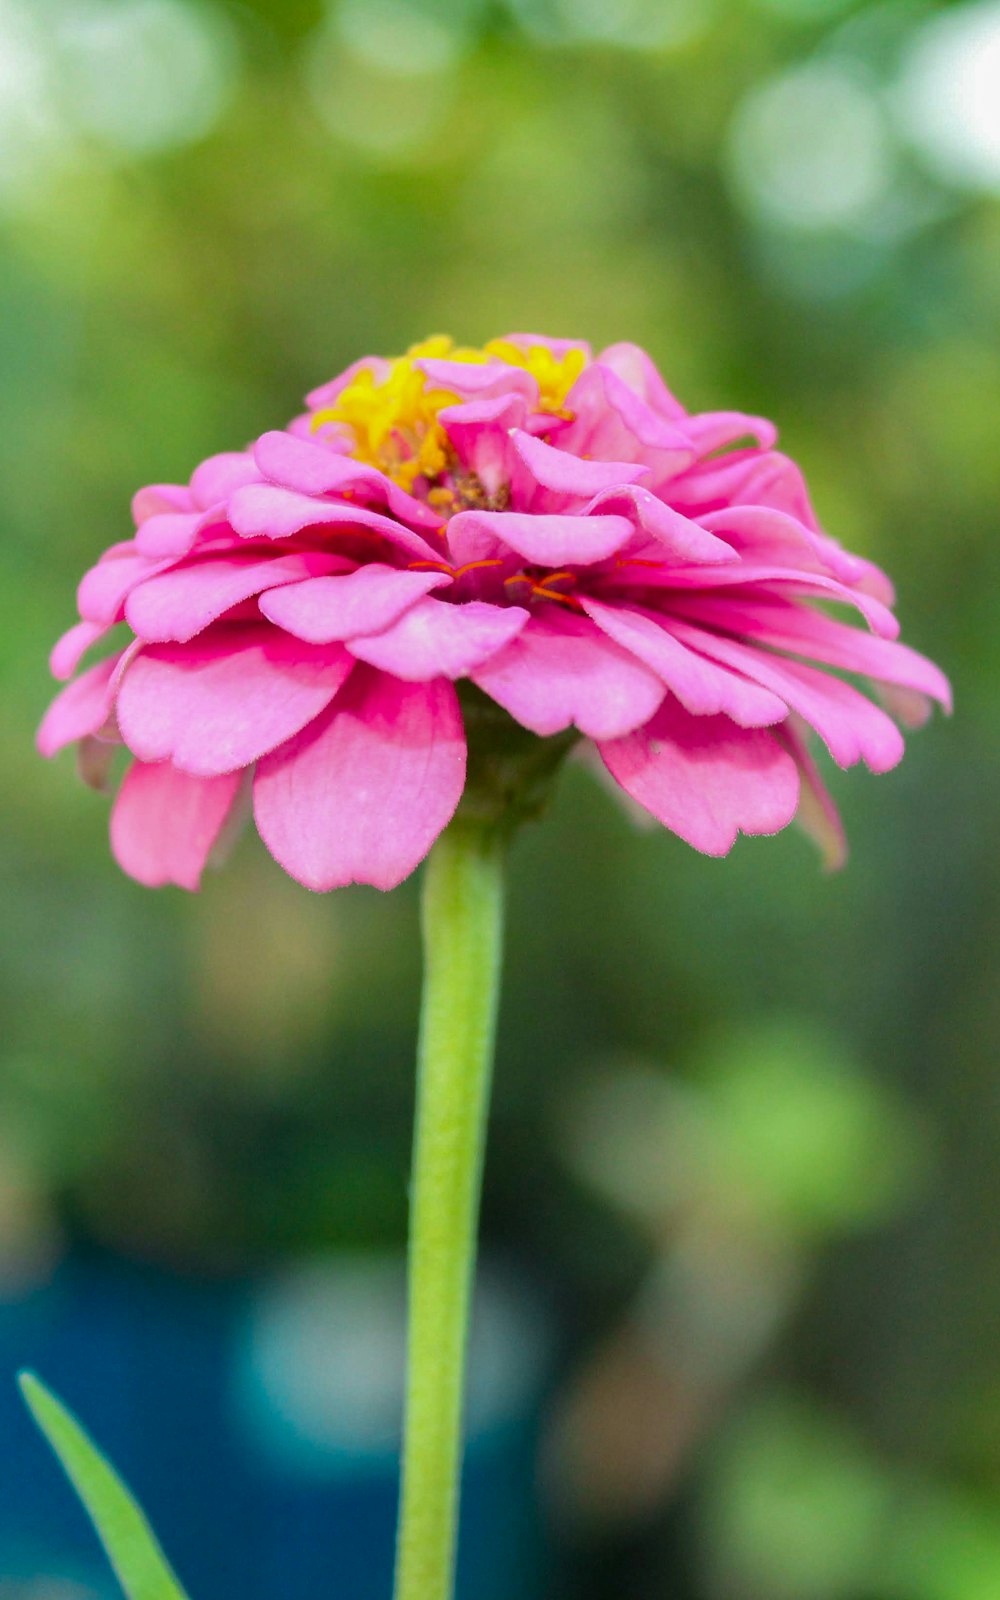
(258, 1425)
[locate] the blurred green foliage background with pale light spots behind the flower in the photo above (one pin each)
(746, 1138)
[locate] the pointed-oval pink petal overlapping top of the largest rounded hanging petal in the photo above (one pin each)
(438, 639)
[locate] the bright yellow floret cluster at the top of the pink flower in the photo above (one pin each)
(396, 418)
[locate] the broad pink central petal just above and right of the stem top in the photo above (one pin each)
(562, 671)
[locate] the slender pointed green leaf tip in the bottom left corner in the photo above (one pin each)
(124, 1532)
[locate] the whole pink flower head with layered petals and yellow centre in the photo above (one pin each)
(553, 527)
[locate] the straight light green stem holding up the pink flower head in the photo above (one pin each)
(463, 932)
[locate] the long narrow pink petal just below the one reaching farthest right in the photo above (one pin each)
(846, 721)
